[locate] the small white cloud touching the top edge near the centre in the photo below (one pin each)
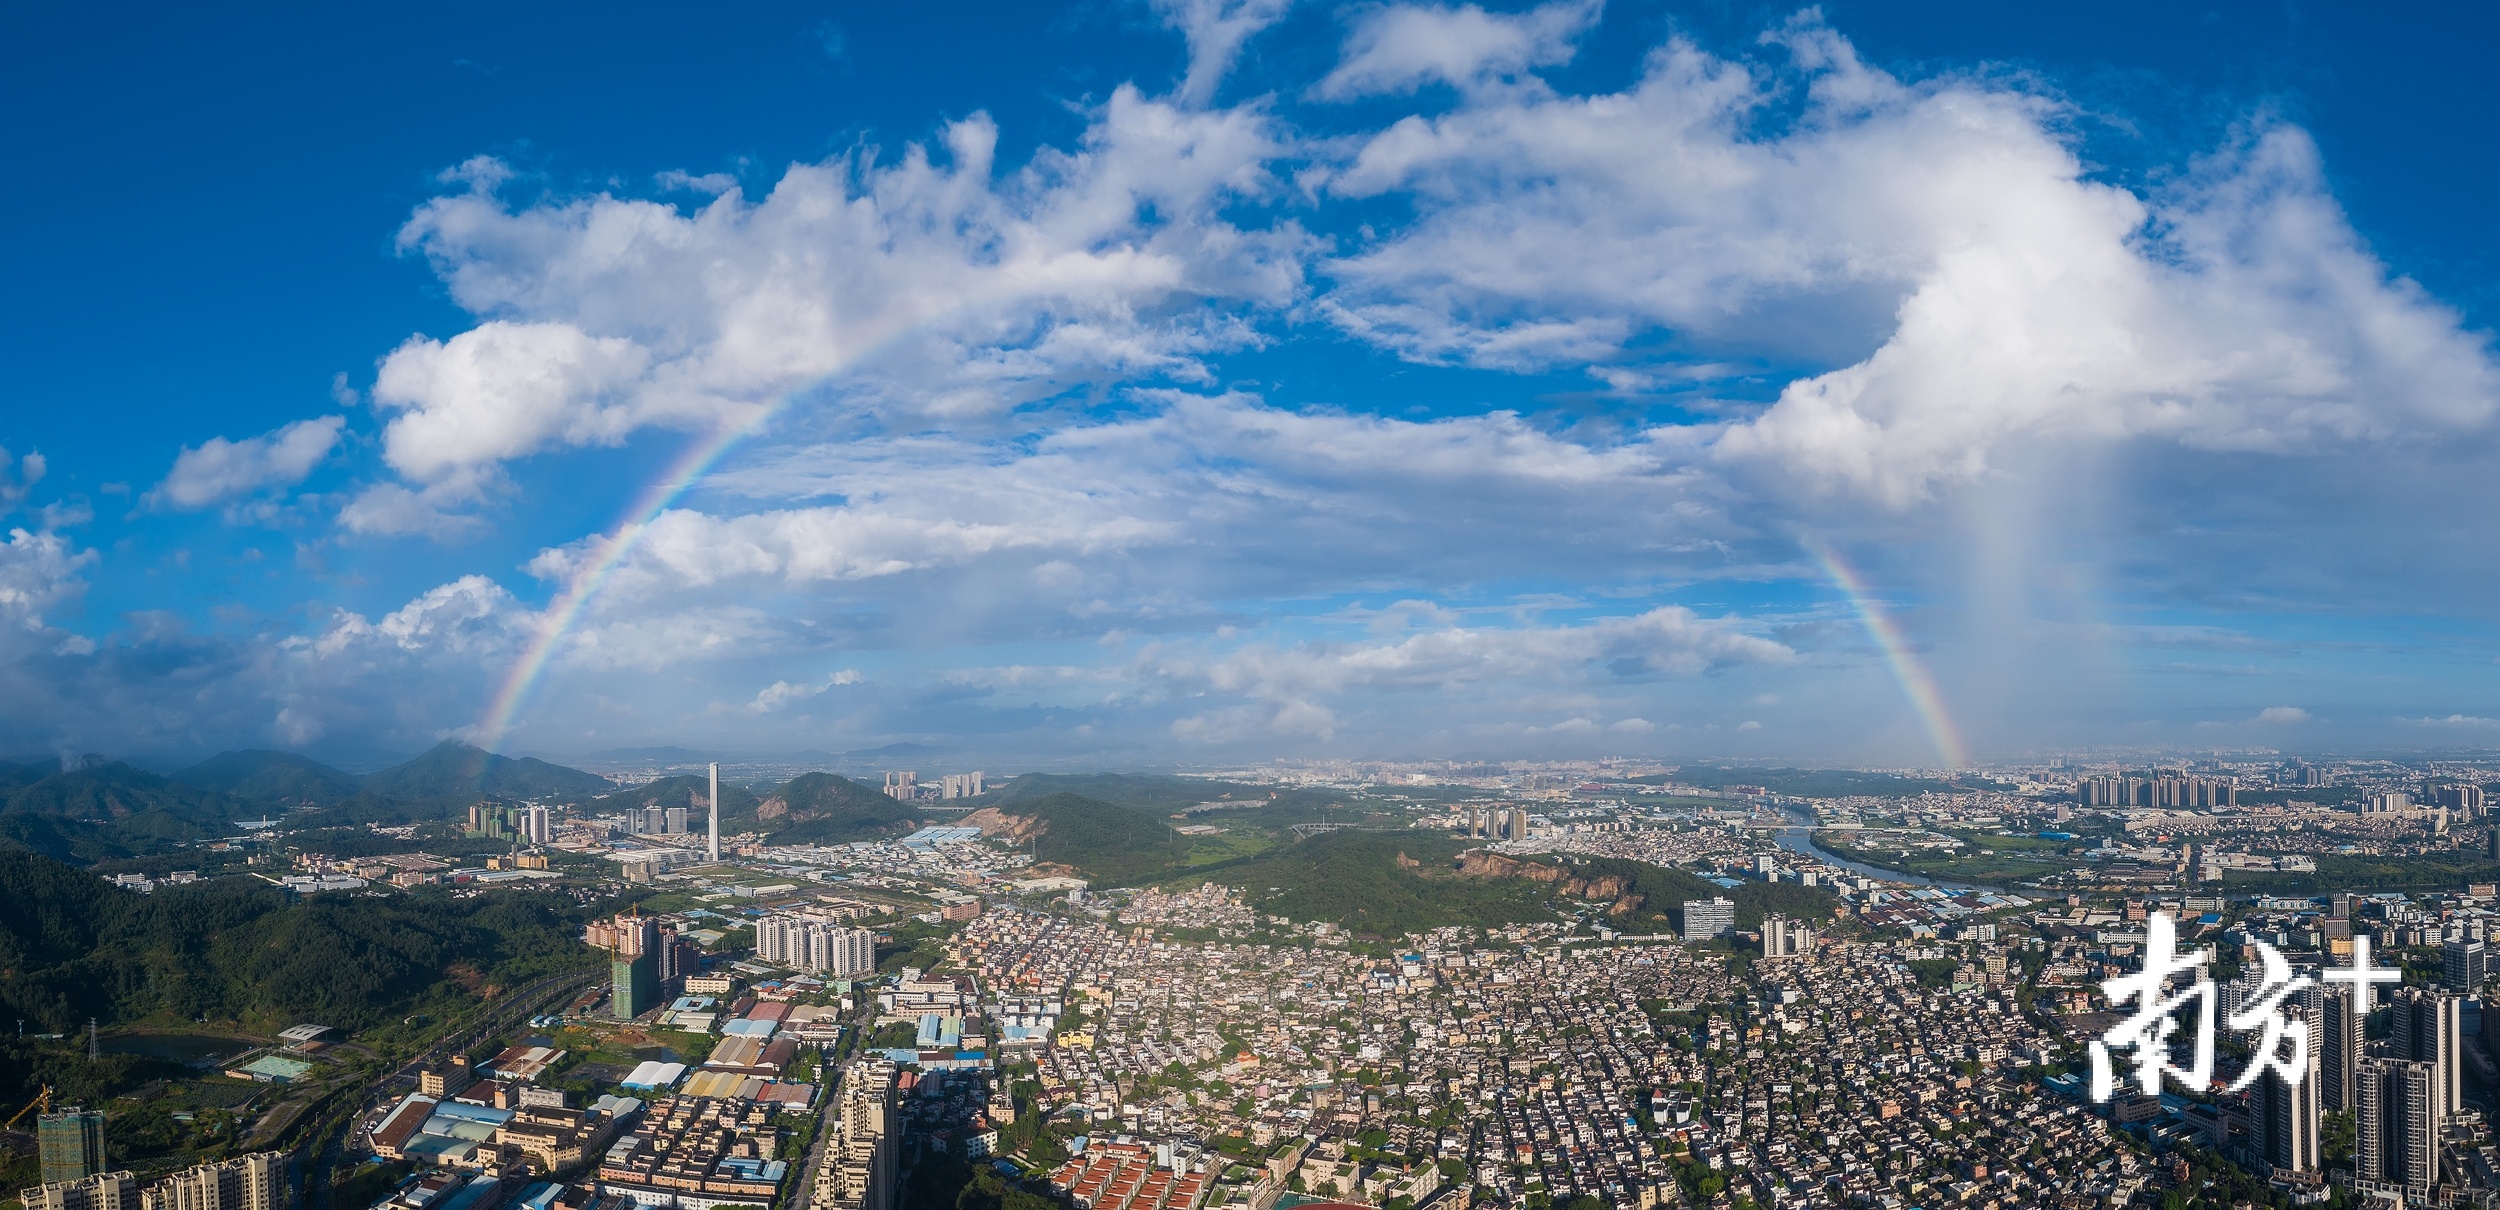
(1406, 46)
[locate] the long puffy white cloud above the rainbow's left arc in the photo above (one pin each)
(909, 289)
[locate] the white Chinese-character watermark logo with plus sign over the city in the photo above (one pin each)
(2156, 1016)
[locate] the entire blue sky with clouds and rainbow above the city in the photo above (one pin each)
(1216, 379)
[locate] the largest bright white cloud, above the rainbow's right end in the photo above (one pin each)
(1949, 224)
